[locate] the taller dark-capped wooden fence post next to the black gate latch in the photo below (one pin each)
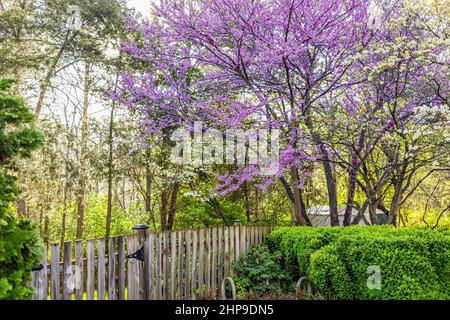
(142, 233)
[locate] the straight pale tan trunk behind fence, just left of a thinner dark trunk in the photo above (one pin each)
(83, 151)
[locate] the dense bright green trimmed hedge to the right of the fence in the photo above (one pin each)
(414, 263)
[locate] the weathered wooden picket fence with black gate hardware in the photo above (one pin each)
(177, 265)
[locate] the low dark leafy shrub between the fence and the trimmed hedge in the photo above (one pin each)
(260, 271)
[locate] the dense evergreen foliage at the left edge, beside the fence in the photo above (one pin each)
(18, 238)
